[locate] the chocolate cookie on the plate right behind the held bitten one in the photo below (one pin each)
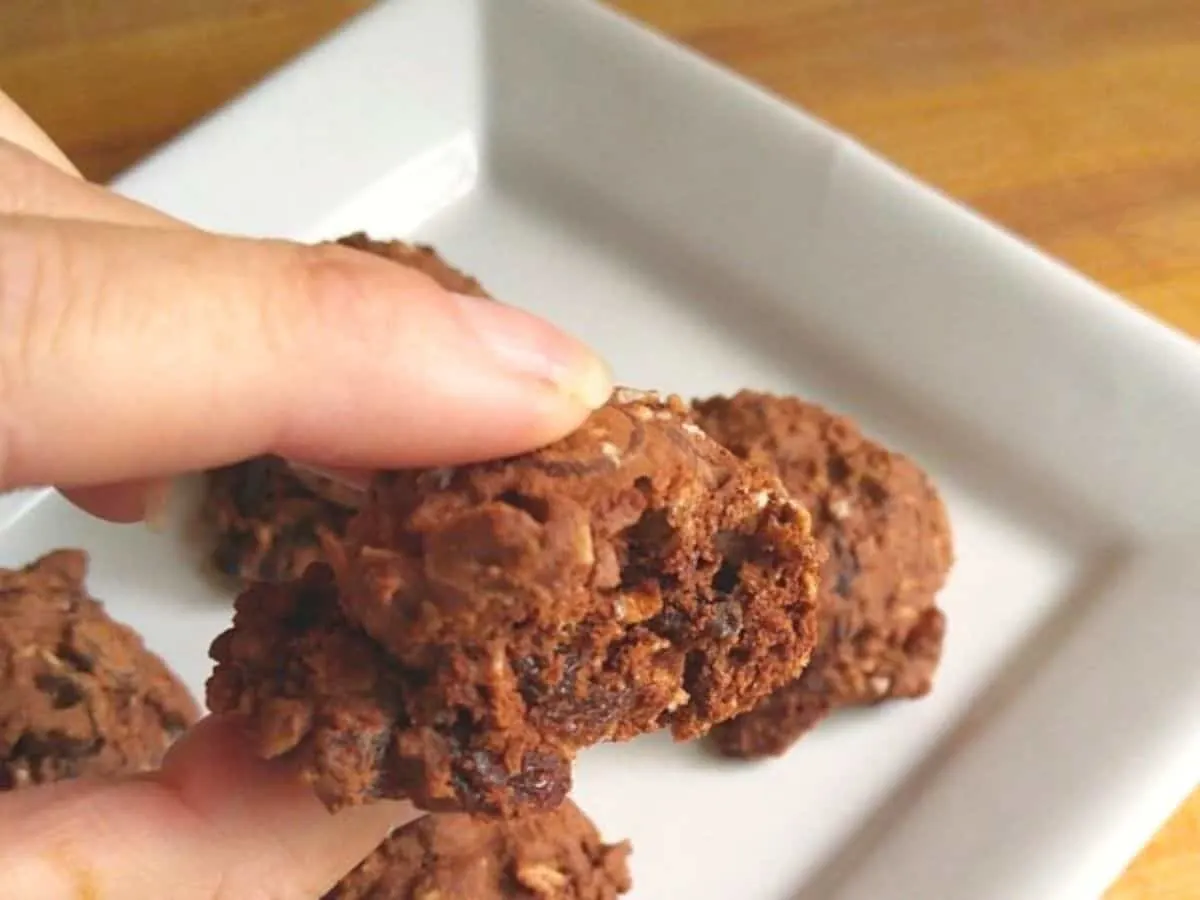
(889, 549)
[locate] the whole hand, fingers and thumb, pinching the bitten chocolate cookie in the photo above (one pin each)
(135, 349)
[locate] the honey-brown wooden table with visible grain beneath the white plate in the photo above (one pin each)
(1075, 123)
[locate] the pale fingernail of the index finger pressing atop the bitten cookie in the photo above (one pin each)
(529, 346)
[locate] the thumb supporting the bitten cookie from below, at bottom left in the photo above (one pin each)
(214, 825)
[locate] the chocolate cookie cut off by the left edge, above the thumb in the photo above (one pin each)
(80, 693)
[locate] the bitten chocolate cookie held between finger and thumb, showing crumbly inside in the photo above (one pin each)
(489, 622)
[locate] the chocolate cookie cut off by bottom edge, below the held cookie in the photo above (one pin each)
(547, 856)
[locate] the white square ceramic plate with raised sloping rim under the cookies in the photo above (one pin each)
(707, 237)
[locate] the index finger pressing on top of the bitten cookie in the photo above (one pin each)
(133, 353)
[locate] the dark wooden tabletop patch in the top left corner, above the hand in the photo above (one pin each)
(111, 81)
